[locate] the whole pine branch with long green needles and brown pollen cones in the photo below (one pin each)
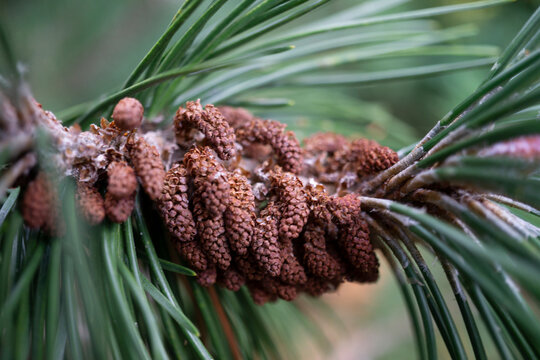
(165, 231)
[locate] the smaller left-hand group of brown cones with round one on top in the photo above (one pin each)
(107, 161)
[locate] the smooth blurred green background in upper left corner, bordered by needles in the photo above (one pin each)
(77, 50)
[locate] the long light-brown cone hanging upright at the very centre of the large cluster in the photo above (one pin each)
(240, 214)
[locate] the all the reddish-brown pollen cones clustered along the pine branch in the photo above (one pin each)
(242, 201)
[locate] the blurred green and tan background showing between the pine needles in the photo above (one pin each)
(74, 51)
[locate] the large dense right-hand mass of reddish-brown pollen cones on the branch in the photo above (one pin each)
(276, 217)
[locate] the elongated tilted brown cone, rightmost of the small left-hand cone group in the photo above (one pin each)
(148, 166)
